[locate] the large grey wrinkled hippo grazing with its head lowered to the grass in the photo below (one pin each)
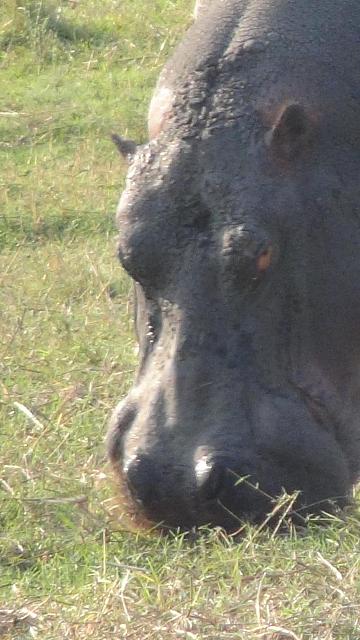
(240, 227)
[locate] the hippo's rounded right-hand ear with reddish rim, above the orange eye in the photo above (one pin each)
(292, 132)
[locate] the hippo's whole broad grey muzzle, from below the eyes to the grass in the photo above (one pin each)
(196, 444)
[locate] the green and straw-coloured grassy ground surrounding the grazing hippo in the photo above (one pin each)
(70, 73)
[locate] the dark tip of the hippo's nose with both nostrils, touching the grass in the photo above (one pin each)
(186, 495)
